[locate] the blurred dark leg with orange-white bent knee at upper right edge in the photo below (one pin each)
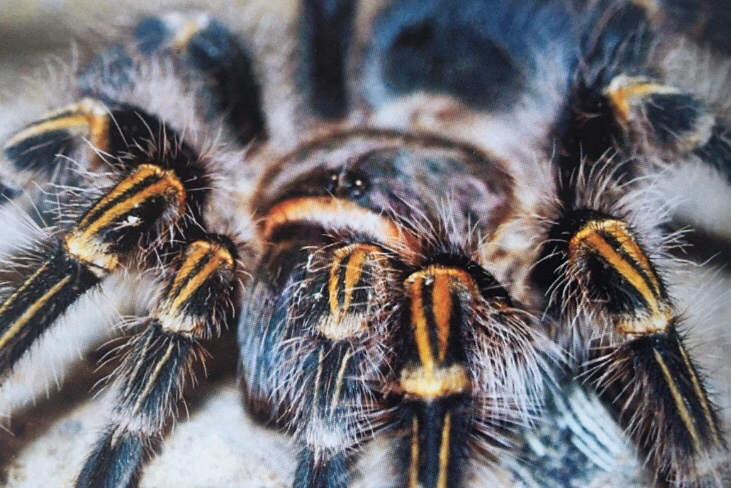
(685, 140)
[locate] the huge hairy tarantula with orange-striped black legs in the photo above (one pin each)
(442, 231)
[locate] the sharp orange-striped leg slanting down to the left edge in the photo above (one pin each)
(110, 229)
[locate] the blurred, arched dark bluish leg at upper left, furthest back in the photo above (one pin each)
(205, 54)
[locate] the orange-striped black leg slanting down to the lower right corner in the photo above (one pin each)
(625, 329)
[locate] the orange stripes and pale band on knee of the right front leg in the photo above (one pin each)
(610, 241)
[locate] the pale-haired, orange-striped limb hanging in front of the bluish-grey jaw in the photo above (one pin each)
(338, 323)
